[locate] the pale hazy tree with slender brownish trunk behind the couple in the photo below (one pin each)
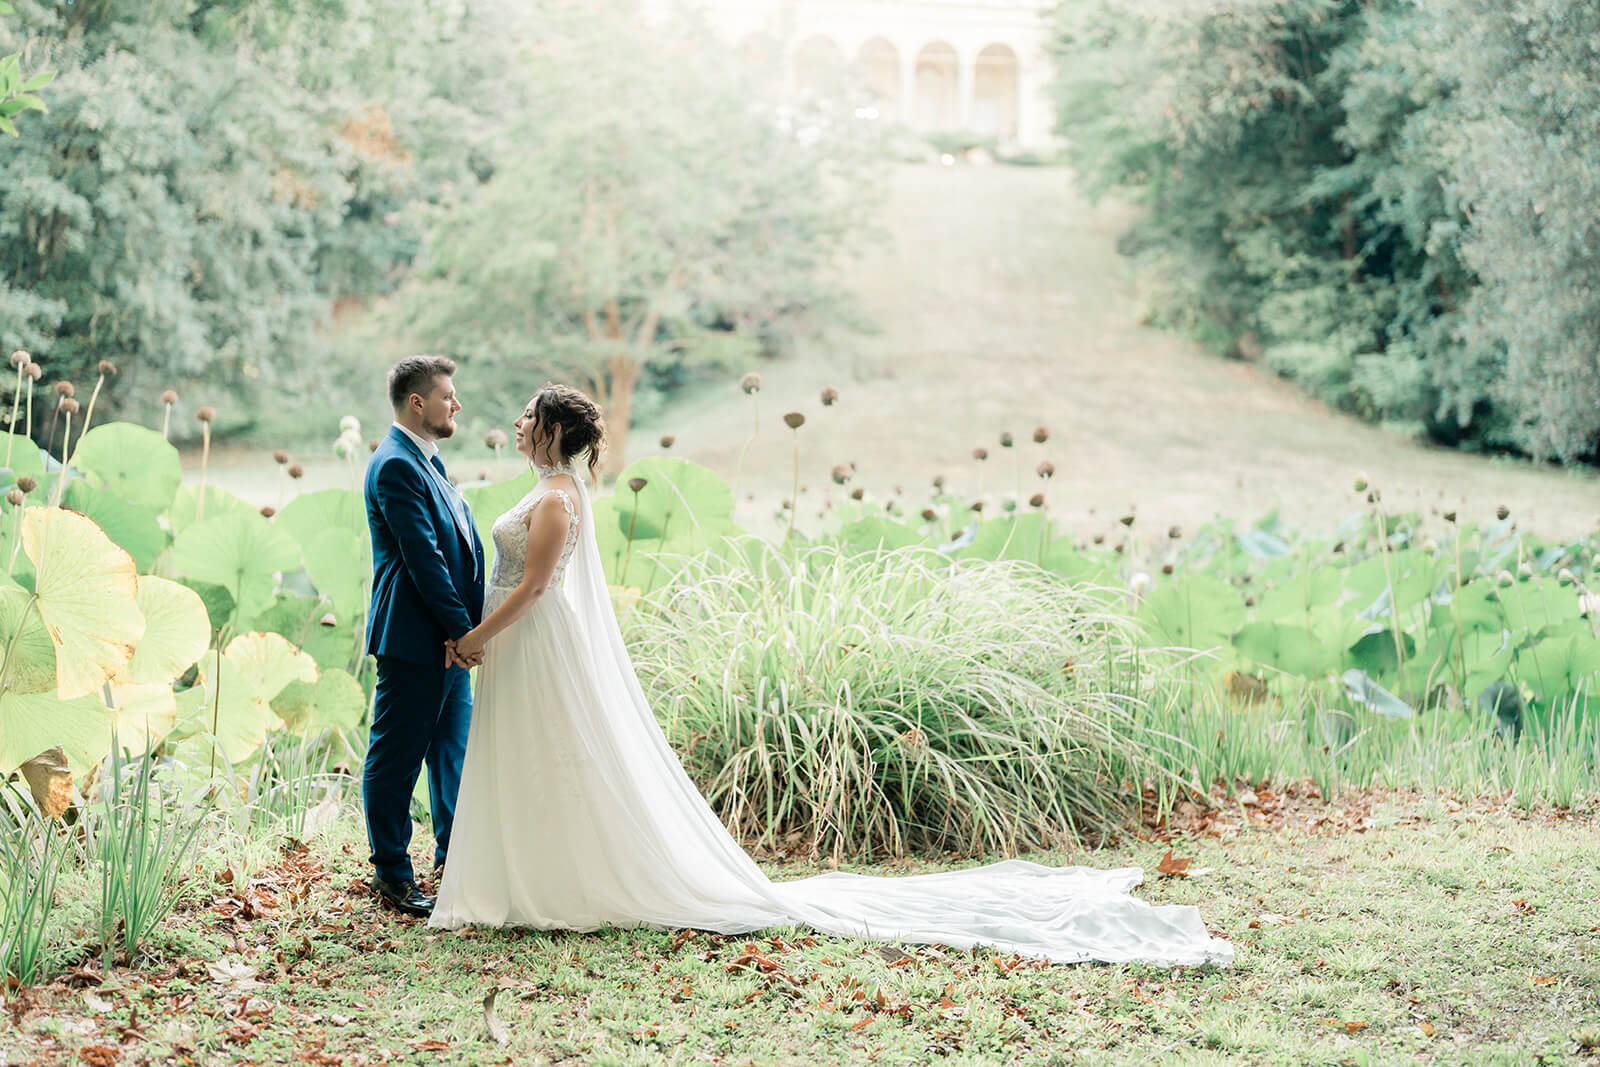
(655, 209)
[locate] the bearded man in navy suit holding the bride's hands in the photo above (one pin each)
(428, 589)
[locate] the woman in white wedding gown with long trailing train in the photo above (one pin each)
(575, 813)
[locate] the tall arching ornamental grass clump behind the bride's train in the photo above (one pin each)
(897, 701)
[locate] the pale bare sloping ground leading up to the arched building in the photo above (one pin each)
(1002, 306)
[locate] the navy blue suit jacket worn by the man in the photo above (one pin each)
(428, 561)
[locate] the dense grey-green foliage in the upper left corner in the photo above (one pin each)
(212, 178)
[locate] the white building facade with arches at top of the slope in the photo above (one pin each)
(953, 66)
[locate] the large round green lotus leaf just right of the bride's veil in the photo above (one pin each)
(682, 505)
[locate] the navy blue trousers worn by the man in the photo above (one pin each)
(420, 716)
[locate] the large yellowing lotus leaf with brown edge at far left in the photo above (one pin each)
(87, 596)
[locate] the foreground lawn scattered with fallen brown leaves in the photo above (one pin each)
(1391, 929)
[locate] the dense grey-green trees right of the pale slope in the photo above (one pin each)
(1364, 196)
